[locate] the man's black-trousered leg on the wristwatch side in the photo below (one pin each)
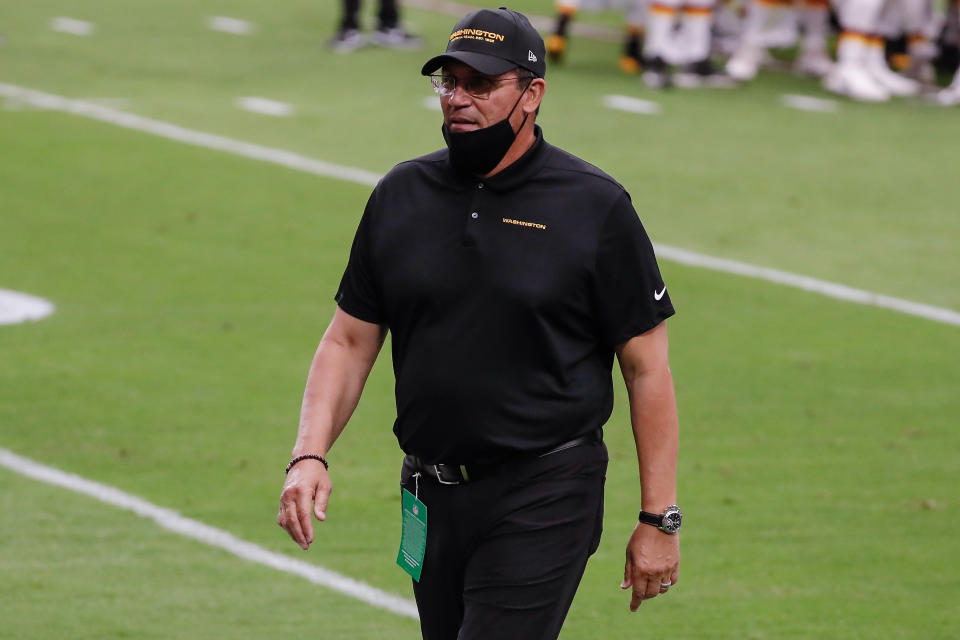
(522, 576)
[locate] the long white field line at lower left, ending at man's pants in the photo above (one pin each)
(187, 527)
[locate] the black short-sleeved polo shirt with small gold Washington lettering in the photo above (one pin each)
(505, 296)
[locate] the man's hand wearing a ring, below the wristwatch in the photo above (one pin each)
(653, 563)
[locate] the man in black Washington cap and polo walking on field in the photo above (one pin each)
(510, 274)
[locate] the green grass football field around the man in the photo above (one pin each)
(819, 443)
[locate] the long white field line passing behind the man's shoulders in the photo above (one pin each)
(360, 176)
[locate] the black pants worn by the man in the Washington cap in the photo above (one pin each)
(505, 554)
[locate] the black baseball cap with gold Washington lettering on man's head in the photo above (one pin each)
(493, 41)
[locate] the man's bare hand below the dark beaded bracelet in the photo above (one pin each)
(307, 485)
